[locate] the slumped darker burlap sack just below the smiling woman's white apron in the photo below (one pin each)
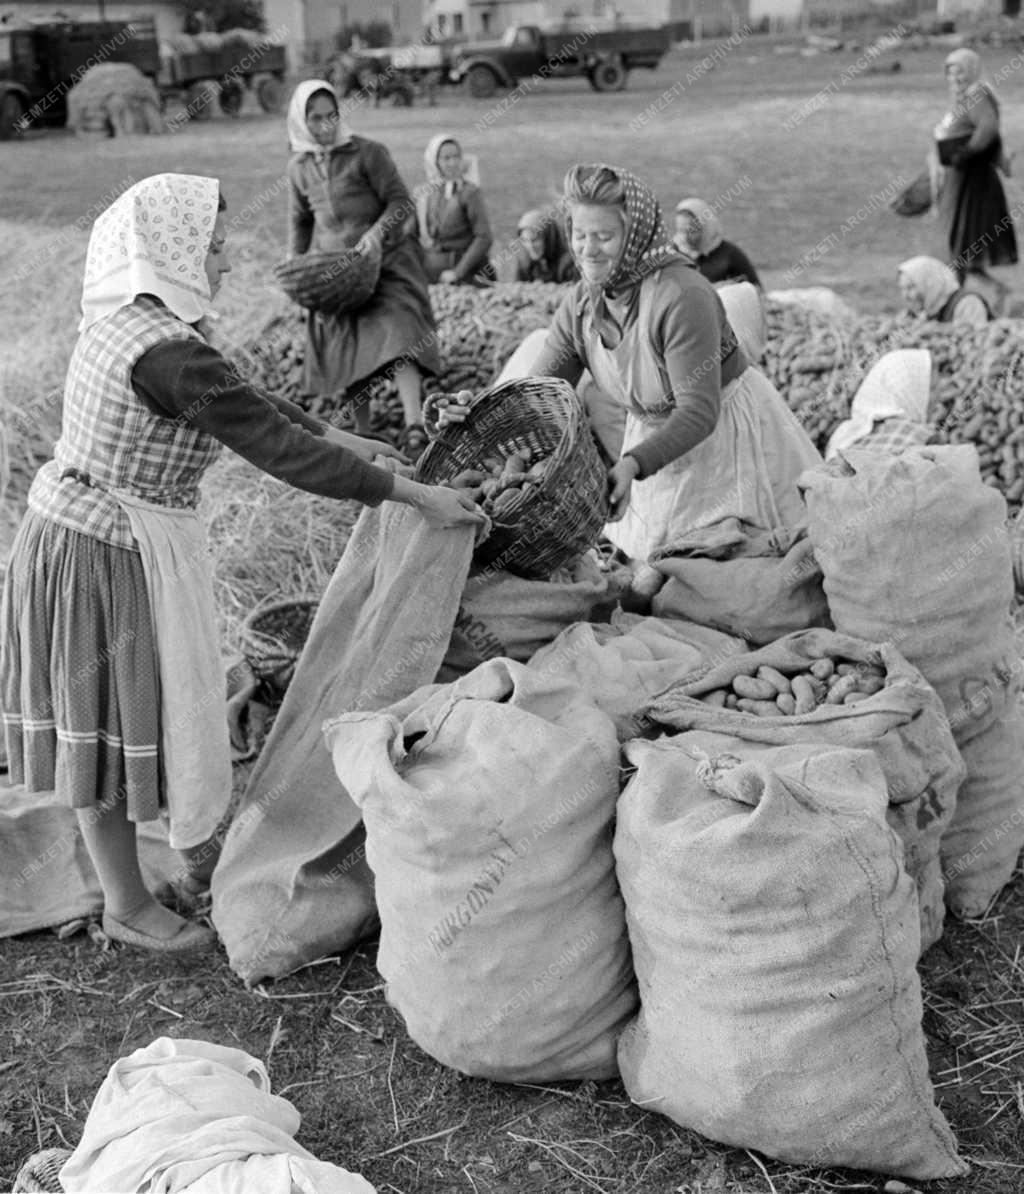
(750, 583)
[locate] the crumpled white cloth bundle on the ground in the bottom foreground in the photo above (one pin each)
(193, 1116)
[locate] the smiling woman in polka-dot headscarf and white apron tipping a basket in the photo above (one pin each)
(707, 435)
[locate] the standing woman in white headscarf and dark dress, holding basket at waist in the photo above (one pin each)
(347, 193)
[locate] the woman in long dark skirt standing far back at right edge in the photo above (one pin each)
(972, 204)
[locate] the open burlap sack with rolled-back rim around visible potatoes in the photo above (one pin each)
(904, 725)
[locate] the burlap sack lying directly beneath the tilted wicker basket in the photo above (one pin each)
(502, 617)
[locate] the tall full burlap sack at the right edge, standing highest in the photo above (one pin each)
(915, 552)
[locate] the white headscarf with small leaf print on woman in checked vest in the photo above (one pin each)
(153, 239)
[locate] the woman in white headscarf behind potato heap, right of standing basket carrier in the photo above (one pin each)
(454, 229)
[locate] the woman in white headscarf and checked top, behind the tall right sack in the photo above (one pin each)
(891, 409)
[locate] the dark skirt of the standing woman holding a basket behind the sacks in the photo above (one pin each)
(397, 325)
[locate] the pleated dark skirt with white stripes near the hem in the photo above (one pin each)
(78, 670)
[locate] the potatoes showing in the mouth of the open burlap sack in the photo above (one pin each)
(772, 694)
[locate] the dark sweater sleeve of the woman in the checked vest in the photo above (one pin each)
(192, 383)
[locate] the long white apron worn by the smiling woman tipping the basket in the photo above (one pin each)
(747, 469)
